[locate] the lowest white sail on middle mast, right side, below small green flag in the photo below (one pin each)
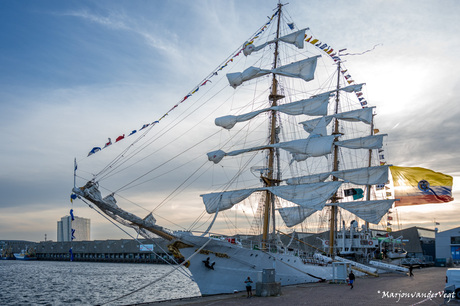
(370, 211)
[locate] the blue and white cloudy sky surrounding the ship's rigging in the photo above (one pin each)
(74, 72)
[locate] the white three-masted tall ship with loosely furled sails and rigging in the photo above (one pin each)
(296, 145)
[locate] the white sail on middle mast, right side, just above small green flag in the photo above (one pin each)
(364, 176)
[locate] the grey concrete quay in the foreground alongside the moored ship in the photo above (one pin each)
(425, 288)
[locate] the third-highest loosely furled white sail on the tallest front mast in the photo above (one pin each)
(314, 106)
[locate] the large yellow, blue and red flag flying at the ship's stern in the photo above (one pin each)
(415, 185)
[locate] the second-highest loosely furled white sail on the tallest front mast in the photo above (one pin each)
(304, 70)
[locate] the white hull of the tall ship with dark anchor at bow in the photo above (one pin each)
(233, 264)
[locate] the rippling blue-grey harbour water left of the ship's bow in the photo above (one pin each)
(89, 283)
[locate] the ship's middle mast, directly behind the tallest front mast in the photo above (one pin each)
(333, 219)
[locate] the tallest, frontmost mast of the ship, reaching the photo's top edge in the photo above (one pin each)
(269, 180)
